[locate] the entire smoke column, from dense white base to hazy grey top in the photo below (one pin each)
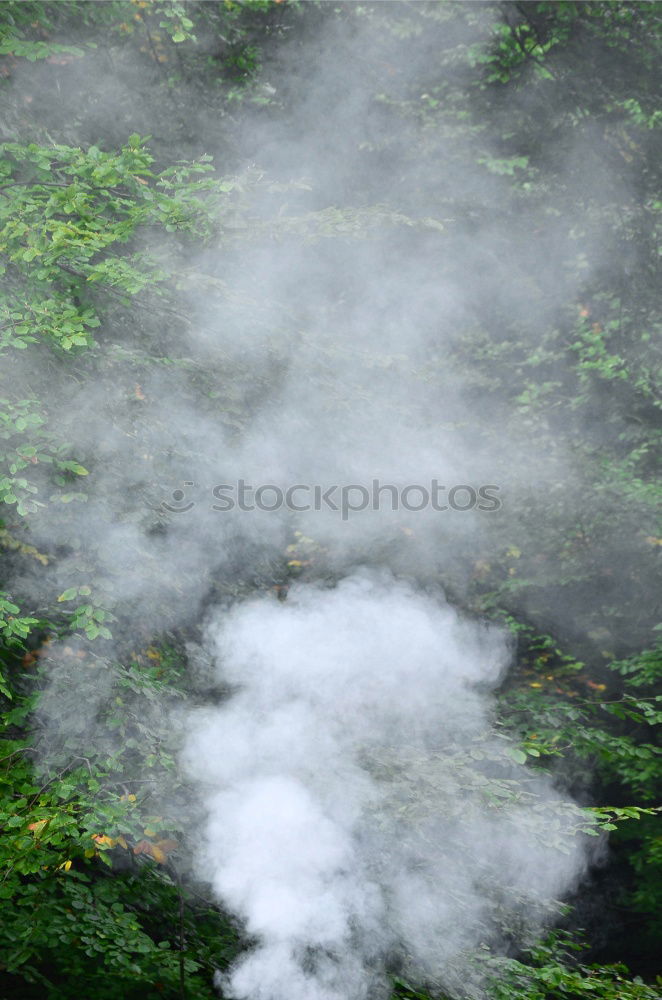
(323, 343)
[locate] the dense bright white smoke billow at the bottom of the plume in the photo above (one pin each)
(358, 795)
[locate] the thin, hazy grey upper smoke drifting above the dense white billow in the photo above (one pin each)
(323, 342)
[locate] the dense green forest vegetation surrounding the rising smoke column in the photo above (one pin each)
(103, 203)
